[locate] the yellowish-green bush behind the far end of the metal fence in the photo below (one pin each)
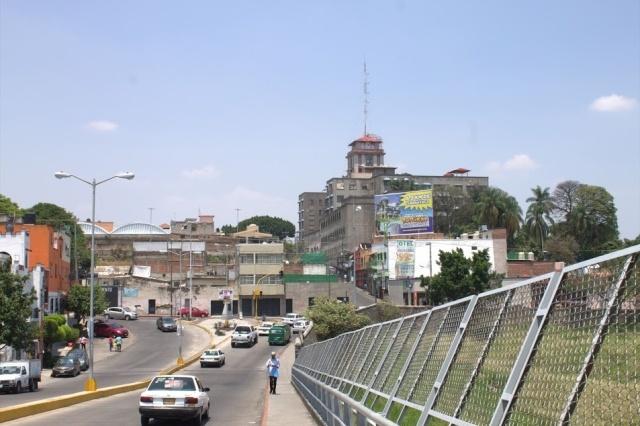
(332, 318)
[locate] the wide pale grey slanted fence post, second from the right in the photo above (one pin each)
(526, 350)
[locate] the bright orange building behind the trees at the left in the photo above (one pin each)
(52, 250)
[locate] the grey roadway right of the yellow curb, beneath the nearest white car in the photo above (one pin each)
(237, 395)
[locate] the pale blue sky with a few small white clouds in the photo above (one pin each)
(218, 106)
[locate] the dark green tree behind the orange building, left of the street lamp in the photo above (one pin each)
(62, 220)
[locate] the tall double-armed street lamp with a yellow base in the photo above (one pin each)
(90, 384)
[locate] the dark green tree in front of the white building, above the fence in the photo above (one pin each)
(460, 277)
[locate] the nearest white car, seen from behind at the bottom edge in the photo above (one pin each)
(174, 397)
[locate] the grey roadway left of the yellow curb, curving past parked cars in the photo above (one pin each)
(144, 353)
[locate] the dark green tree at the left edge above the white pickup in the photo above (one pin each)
(15, 310)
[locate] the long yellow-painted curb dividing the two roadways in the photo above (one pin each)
(31, 408)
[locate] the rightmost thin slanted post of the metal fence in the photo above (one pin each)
(596, 345)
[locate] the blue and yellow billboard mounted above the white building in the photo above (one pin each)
(404, 213)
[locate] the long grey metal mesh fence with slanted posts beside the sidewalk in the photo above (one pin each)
(560, 348)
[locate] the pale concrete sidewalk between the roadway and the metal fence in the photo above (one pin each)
(286, 408)
